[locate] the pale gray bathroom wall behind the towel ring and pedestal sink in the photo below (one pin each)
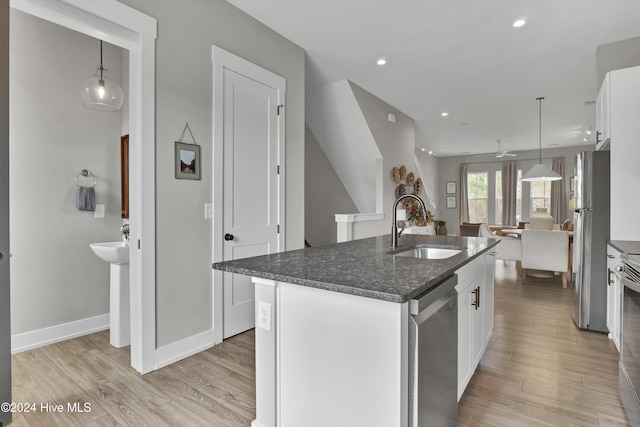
(55, 278)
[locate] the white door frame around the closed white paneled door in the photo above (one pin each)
(222, 60)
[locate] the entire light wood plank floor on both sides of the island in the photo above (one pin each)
(538, 370)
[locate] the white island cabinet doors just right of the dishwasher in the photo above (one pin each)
(475, 315)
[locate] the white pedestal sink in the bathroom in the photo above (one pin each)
(117, 255)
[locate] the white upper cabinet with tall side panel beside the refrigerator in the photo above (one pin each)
(619, 115)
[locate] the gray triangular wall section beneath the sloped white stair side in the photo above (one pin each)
(325, 195)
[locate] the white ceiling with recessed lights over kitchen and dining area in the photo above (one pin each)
(464, 57)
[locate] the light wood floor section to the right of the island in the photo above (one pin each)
(540, 369)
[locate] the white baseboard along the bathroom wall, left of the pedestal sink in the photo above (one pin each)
(57, 333)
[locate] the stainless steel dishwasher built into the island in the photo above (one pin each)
(433, 356)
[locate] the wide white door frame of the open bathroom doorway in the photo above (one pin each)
(123, 26)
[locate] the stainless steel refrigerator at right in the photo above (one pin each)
(590, 236)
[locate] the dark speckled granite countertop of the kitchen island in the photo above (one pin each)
(363, 267)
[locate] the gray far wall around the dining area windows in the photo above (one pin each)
(450, 169)
